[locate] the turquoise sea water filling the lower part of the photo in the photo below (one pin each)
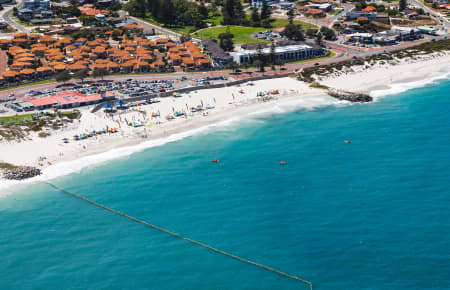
(370, 214)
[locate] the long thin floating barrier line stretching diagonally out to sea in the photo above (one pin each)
(261, 266)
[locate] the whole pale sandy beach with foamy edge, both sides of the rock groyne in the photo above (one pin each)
(226, 105)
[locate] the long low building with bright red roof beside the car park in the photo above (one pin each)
(67, 100)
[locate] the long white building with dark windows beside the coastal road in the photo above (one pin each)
(286, 53)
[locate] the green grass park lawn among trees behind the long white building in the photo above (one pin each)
(243, 34)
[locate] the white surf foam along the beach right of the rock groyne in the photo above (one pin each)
(397, 88)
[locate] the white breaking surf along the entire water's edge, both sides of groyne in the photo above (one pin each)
(287, 105)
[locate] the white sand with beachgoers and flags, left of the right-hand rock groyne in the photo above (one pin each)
(226, 107)
